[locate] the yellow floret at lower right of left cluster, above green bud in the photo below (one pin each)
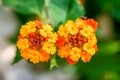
(49, 48)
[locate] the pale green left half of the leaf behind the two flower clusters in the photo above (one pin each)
(58, 10)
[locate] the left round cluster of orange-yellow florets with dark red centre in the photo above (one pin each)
(37, 42)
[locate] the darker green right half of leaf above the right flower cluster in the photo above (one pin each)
(76, 11)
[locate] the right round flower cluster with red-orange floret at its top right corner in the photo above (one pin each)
(77, 40)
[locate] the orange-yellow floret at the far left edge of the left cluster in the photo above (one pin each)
(22, 44)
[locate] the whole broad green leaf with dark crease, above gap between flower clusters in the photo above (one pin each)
(62, 10)
